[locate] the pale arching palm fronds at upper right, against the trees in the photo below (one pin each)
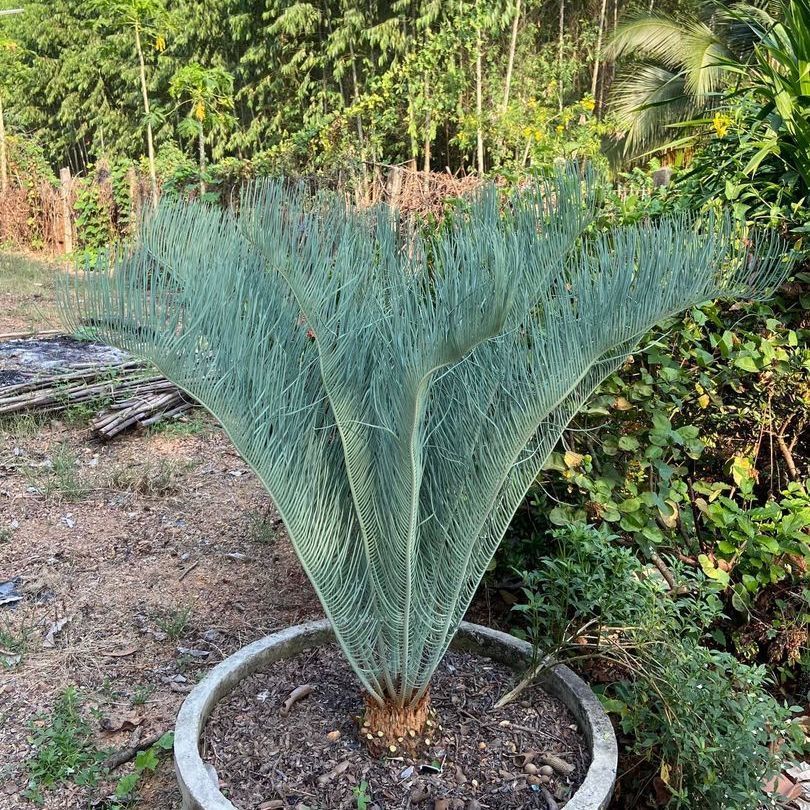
(680, 67)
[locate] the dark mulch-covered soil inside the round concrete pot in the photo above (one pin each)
(529, 754)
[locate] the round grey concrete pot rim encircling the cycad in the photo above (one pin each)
(200, 791)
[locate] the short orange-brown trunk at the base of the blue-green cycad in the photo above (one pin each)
(393, 730)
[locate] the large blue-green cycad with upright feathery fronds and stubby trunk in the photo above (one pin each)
(397, 393)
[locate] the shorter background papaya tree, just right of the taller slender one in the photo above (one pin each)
(208, 95)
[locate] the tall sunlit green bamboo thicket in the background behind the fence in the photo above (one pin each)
(311, 85)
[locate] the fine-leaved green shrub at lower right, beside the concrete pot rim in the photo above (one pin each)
(699, 719)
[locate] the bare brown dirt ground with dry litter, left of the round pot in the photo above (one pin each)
(149, 558)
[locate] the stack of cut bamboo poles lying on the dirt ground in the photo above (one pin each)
(131, 396)
